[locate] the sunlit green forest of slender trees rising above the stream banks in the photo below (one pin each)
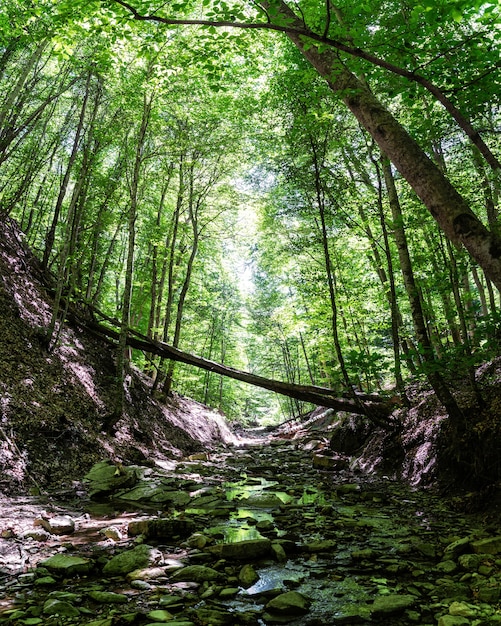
(306, 192)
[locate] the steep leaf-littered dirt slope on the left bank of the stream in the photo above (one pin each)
(52, 405)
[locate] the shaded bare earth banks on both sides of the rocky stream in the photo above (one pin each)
(53, 406)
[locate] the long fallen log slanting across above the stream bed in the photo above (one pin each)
(378, 409)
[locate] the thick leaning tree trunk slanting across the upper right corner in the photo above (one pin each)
(446, 205)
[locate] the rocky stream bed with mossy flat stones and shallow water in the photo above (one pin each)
(264, 533)
